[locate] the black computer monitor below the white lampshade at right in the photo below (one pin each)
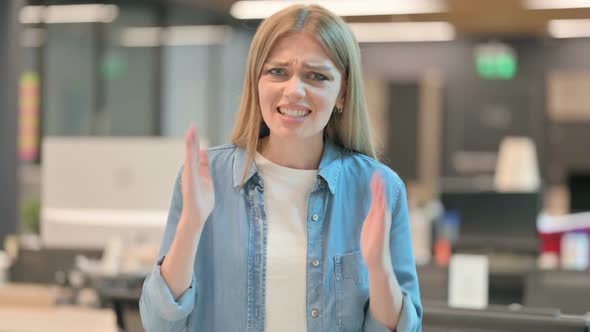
(504, 222)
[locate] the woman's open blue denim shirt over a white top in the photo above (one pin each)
(228, 287)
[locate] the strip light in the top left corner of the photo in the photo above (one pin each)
(69, 14)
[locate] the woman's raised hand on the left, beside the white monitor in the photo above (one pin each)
(198, 195)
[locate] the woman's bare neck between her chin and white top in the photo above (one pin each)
(300, 154)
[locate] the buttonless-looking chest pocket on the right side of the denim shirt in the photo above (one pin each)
(352, 291)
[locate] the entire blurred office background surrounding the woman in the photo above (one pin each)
(482, 107)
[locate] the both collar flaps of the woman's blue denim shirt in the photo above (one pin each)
(330, 165)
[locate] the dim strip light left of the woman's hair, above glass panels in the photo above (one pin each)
(174, 36)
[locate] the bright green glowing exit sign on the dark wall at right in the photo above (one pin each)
(495, 61)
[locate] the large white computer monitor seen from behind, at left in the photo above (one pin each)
(95, 189)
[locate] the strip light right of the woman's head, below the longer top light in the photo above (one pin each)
(402, 32)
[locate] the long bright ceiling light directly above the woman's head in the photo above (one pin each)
(263, 8)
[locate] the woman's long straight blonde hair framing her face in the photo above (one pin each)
(349, 129)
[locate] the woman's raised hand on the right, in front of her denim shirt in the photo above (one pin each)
(375, 232)
